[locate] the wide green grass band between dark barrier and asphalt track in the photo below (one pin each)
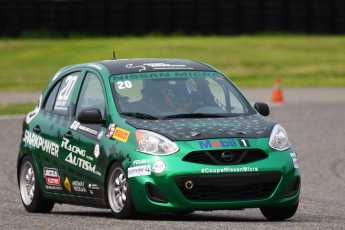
(250, 61)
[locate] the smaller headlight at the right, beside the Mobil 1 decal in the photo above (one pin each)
(278, 139)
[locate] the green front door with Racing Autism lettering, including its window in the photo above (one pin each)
(80, 148)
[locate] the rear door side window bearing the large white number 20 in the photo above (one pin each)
(65, 92)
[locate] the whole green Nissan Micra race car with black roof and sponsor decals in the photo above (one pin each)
(154, 135)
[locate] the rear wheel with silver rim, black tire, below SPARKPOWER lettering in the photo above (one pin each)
(30, 190)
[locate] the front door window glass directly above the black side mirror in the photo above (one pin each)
(91, 95)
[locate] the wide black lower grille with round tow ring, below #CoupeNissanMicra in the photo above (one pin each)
(228, 187)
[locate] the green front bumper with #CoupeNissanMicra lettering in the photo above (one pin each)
(182, 186)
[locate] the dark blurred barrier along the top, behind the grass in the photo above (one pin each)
(142, 17)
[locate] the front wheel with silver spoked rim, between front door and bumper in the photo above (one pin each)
(119, 194)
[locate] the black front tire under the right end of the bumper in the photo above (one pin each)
(279, 213)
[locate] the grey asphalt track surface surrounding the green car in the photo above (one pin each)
(315, 122)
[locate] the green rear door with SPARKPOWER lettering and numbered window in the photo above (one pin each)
(48, 128)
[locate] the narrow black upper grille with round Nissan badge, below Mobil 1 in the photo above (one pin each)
(225, 157)
